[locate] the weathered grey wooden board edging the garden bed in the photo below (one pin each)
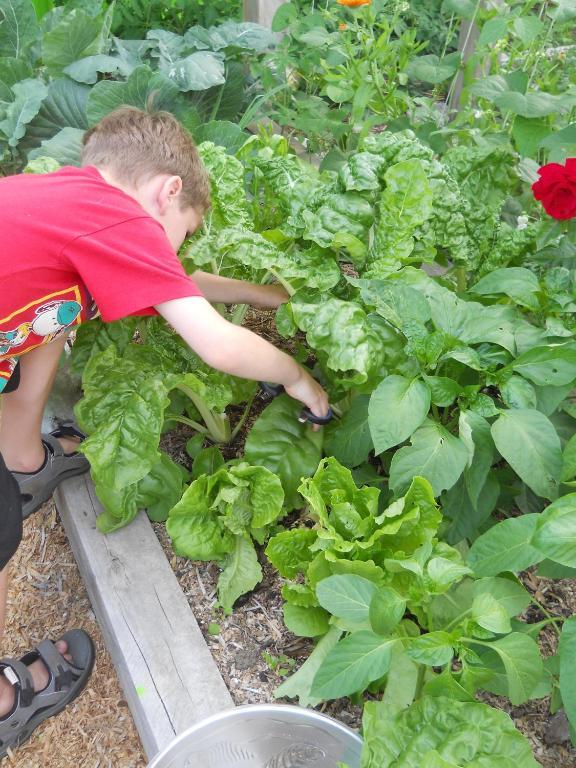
(165, 667)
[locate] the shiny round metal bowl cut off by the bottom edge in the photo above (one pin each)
(263, 736)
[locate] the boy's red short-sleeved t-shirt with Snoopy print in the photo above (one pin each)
(72, 245)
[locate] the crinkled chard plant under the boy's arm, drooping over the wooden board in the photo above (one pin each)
(130, 397)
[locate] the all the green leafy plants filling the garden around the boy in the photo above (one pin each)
(453, 393)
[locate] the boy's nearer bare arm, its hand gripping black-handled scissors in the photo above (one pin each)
(238, 351)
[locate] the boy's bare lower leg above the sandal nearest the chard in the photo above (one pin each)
(23, 409)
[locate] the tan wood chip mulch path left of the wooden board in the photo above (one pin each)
(47, 597)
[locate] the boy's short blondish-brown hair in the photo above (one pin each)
(135, 145)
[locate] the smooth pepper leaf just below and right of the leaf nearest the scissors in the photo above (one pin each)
(434, 454)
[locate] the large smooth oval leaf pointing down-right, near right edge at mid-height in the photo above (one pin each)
(530, 444)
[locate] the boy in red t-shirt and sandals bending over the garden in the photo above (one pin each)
(101, 236)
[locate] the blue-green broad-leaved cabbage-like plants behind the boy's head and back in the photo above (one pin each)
(69, 70)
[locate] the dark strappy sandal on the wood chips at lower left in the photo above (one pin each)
(67, 680)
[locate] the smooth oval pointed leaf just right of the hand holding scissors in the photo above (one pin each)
(398, 406)
